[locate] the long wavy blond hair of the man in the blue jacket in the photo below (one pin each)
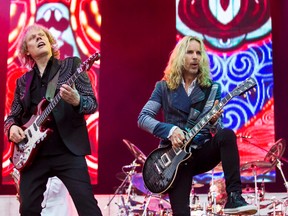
(174, 68)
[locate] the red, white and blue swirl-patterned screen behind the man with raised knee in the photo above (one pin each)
(238, 37)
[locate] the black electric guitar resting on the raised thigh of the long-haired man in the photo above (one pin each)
(161, 165)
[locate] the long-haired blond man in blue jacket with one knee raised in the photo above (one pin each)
(185, 95)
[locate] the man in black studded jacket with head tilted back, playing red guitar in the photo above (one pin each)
(62, 153)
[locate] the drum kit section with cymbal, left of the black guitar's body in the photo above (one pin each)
(133, 185)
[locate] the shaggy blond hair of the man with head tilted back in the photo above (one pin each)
(27, 60)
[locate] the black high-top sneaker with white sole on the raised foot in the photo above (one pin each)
(236, 204)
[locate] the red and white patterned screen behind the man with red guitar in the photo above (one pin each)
(76, 37)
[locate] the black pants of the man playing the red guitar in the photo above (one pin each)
(73, 172)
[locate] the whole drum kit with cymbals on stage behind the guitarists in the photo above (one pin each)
(158, 205)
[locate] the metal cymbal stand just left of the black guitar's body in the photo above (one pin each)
(127, 179)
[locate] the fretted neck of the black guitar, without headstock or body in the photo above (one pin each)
(196, 129)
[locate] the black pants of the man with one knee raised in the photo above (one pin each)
(223, 147)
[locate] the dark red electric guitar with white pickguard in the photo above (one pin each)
(35, 130)
